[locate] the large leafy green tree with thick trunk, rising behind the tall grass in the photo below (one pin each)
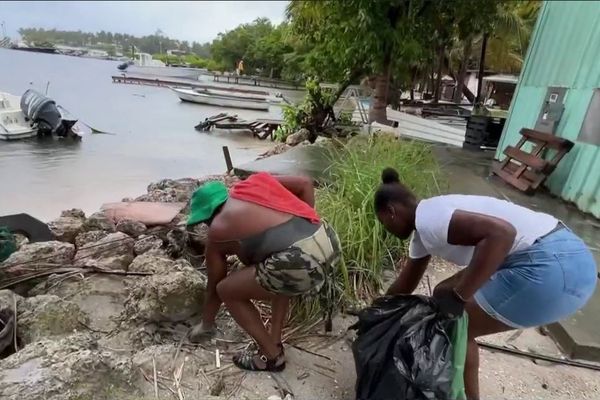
(360, 37)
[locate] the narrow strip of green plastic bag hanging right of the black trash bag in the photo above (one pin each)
(459, 354)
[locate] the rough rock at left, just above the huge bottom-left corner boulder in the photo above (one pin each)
(41, 317)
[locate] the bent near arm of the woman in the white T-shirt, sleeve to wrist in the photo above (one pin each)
(492, 237)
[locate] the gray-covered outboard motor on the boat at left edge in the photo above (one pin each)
(42, 110)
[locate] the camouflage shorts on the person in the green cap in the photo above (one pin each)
(302, 268)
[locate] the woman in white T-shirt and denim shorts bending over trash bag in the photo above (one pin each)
(523, 268)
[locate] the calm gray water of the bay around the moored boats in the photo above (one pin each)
(154, 138)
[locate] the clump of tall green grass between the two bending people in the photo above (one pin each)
(347, 204)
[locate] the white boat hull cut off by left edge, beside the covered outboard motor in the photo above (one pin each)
(13, 124)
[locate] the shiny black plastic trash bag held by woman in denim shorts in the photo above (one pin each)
(402, 350)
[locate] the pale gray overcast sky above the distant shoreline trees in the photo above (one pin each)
(198, 21)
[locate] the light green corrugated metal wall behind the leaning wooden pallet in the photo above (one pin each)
(564, 51)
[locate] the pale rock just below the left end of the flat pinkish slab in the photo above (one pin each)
(114, 251)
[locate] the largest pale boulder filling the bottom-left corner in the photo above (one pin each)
(67, 369)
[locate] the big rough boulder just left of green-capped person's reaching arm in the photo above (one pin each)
(173, 297)
